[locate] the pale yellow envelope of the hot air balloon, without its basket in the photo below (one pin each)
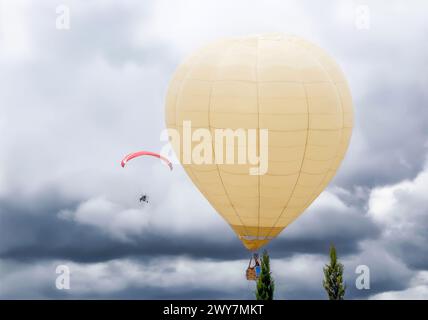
(281, 83)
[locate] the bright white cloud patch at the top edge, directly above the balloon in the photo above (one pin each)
(188, 24)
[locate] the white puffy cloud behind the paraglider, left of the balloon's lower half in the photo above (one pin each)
(175, 206)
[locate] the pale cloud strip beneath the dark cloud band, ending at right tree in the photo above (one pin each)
(170, 275)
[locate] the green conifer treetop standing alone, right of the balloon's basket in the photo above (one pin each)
(333, 277)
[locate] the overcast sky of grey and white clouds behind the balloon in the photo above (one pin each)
(74, 101)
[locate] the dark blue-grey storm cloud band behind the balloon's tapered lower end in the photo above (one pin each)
(40, 233)
